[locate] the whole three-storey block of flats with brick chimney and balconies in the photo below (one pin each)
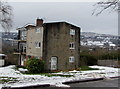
(57, 43)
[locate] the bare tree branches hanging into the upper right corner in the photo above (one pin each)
(113, 5)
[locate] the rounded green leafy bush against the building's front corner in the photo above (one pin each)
(35, 65)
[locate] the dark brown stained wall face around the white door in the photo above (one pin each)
(56, 44)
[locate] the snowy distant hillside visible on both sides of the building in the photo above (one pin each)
(87, 39)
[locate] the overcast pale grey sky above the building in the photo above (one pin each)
(77, 13)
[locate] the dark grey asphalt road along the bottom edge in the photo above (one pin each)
(104, 84)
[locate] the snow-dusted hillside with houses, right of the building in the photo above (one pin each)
(100, 40)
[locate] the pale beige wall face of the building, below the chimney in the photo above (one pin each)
(32, 37)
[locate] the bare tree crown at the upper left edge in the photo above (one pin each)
(5, 15)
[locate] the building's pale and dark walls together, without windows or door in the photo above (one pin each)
(55, 39)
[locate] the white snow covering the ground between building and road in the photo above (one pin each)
(21, 80)
